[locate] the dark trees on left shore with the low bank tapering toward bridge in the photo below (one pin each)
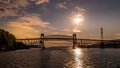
(8, 41)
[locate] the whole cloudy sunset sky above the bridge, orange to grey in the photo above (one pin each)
(29, 18)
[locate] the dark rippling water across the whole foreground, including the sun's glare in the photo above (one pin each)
(61, 57)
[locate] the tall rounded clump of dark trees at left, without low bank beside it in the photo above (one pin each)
(7, 40)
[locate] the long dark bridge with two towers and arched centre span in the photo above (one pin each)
(39, 42)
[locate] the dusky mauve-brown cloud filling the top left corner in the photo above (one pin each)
(12, 7)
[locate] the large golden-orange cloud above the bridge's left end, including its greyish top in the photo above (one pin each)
(25, 26)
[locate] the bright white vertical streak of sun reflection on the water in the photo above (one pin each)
(78, 56)
